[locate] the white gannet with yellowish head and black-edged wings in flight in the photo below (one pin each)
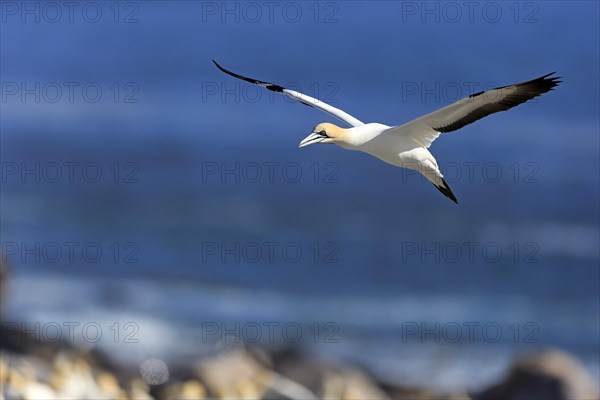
(406, 145)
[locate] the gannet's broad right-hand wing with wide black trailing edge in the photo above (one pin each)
(426, 129)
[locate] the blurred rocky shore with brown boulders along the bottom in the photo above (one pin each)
(34, 369)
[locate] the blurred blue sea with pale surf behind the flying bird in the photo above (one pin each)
(147, 193)
